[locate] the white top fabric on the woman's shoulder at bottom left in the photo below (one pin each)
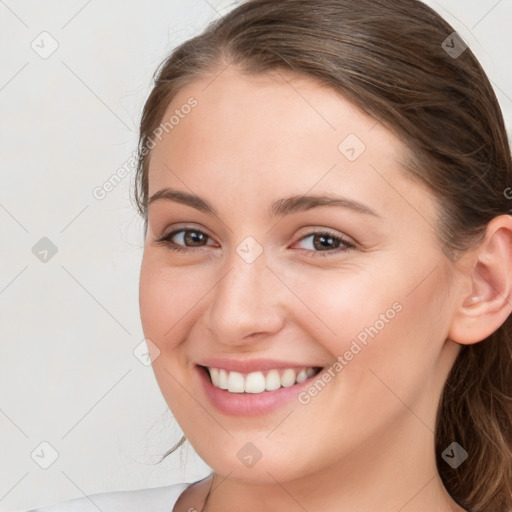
(156, 499)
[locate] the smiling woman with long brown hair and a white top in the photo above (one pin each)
(327, 281)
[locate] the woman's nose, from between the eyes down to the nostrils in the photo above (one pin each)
(247, 303)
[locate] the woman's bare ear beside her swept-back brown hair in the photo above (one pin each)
(489, 277)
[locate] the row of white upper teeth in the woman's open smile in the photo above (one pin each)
(257, 382)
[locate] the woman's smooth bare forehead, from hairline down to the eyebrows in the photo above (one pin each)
(274, 133)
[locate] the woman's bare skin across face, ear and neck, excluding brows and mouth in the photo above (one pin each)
(366, 442)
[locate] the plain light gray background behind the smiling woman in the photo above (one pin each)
(68, 374)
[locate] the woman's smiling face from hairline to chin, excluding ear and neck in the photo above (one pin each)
(358, 286)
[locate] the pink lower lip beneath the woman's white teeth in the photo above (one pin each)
(250, 404)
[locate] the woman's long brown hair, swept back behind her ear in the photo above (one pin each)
(391, 60)
